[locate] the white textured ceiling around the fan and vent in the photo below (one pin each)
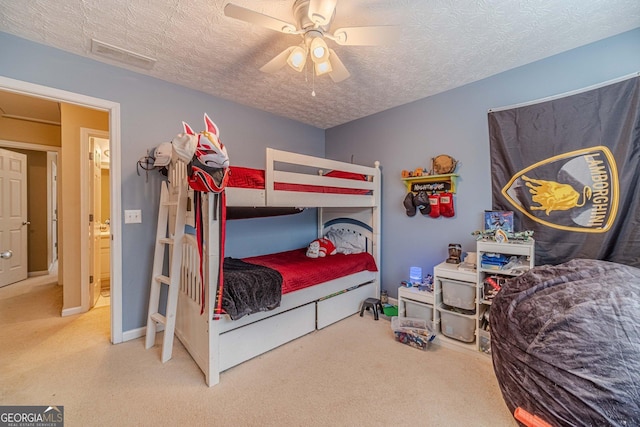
(443, 44)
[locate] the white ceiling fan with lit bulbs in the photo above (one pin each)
(313, 19)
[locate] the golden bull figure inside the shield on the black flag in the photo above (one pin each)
(553, 196)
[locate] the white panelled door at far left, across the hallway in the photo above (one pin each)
(13, 217)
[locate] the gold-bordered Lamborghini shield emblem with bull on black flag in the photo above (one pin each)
(575, 191)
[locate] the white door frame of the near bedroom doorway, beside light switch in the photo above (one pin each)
(113, 108)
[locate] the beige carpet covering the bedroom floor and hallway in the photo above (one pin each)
(352, 373)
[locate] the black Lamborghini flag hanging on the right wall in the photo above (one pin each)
(569, 169)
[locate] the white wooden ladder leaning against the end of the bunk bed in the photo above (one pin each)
(171, 236)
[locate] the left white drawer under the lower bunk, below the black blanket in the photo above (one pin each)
(244, 343)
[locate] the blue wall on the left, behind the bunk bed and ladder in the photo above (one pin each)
(152, 112)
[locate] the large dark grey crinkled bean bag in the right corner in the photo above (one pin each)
(565, 342)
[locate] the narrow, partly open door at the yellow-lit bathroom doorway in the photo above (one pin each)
(94, 225)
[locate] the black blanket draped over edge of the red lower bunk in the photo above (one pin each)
(249, 288)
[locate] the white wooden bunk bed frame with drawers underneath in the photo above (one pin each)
(219, 344)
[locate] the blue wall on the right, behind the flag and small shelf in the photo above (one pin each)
(455, 123)
